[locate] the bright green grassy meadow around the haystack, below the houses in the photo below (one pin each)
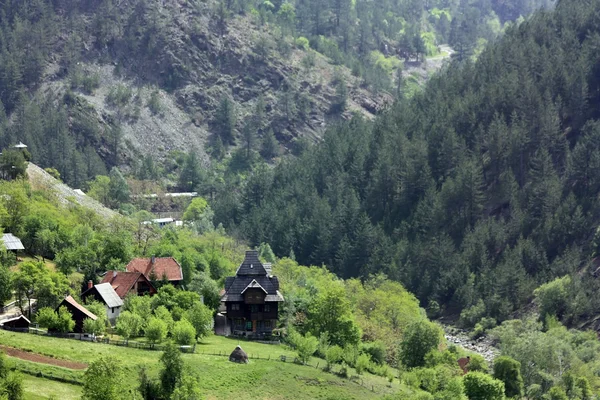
(219, 378)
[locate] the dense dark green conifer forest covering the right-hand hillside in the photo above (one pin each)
(473, 193)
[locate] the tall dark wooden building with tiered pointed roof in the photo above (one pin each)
(252, 299)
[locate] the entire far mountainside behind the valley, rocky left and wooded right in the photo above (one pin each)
(89, 85)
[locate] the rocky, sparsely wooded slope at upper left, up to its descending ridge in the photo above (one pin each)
(116, 80)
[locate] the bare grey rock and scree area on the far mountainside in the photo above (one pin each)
(190, 67)
